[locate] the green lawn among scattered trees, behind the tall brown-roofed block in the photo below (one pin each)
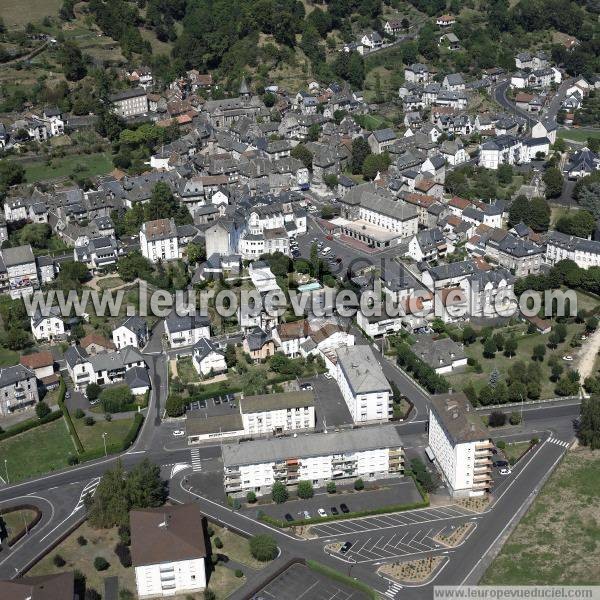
(526, 343)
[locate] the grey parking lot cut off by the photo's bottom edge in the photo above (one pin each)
(301, 582)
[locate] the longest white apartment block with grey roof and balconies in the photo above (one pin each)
(368, 453)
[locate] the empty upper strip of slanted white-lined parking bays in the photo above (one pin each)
(401, 519)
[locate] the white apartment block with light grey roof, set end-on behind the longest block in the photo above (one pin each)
(363, 384)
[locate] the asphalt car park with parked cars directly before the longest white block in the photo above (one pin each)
(396, 491)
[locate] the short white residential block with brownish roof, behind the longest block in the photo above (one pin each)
(278, 413)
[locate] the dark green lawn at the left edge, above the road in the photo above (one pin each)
(37, 451)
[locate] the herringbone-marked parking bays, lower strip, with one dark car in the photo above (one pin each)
(394, 544)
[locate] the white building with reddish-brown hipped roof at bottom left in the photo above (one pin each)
(168, 550)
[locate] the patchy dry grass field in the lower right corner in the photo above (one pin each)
(558, 540)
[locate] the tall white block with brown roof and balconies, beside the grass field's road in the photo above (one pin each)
(461, 445)
